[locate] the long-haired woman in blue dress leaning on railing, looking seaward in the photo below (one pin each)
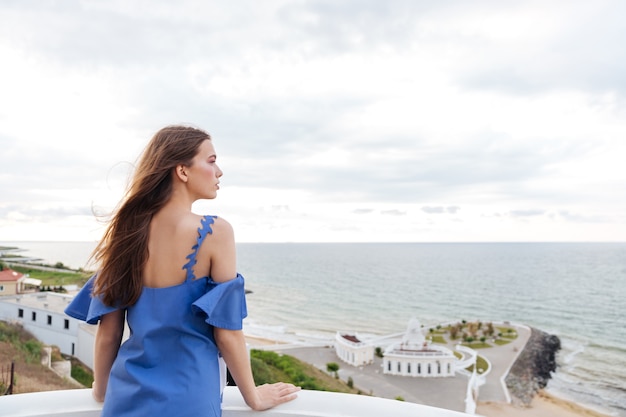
(172, 275)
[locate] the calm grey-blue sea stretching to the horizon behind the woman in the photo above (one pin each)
(308, 291)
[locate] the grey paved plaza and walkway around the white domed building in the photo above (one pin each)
(444, 392)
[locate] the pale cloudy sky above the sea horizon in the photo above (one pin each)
(399, 120)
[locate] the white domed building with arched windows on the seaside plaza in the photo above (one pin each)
(415, 356)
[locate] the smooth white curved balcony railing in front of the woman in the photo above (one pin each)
(79, 403)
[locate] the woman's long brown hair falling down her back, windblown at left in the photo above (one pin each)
(123, 249)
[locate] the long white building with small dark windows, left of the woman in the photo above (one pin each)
(42, 314)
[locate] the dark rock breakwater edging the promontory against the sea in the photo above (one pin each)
(531, 371)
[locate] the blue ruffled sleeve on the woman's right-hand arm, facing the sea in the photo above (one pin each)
(224, 304)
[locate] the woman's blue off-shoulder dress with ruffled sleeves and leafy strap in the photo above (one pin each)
(170, 364)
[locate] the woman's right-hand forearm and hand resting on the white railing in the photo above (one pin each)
(232, 346)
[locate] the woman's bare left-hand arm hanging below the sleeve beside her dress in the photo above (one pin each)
(107, 343)
